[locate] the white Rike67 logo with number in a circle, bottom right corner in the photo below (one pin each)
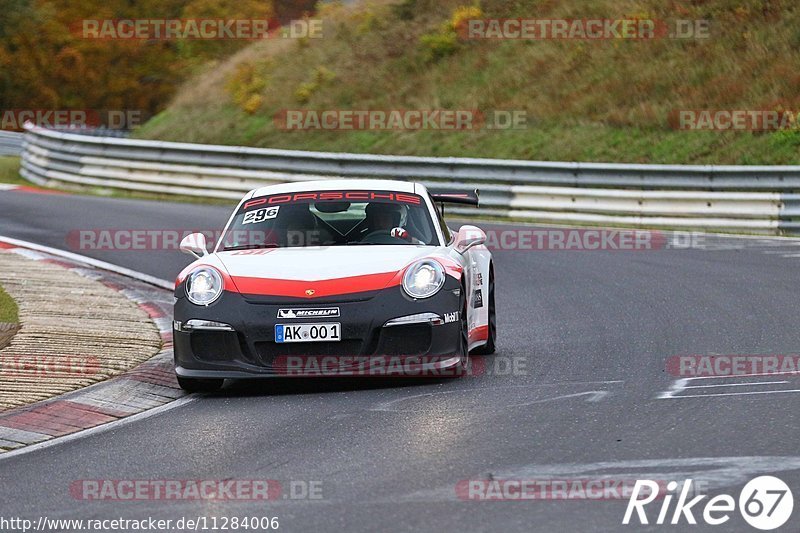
(765, 503)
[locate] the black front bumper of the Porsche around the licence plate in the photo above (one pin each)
(372, 342)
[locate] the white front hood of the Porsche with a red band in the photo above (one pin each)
(318, 272)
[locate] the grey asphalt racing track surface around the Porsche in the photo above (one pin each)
(594, 330)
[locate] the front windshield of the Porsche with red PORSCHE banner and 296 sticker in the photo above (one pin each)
(331, 218)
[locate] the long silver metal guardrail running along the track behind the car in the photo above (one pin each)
(753, 199)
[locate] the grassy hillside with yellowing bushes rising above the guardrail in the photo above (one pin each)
(606, 100)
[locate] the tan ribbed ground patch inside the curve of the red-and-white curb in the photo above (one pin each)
(75, 331)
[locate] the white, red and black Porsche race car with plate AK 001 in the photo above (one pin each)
(334, 277)
